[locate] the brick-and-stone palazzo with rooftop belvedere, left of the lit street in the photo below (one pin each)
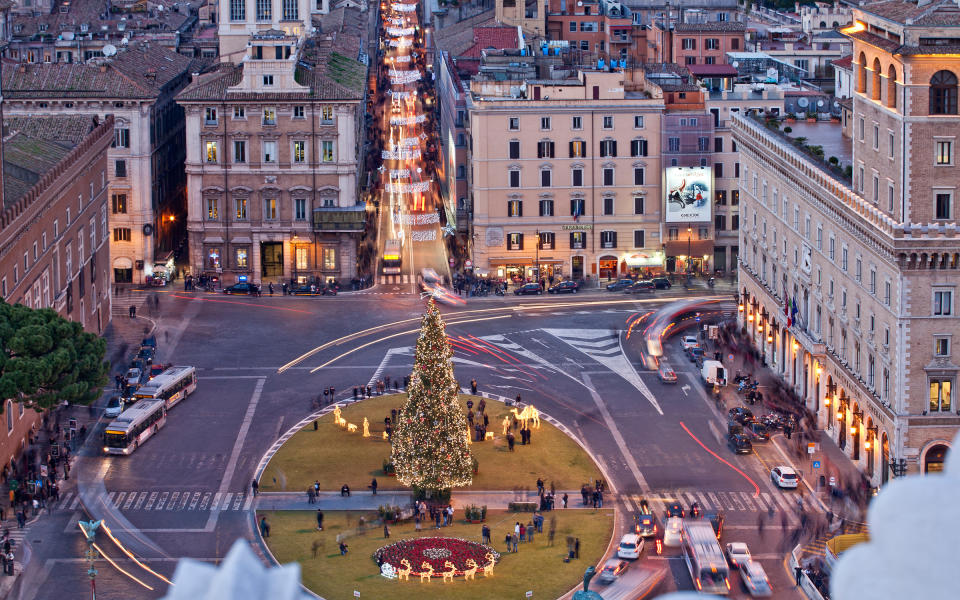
(272, 154)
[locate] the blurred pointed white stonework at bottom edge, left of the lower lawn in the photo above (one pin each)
(240, 575)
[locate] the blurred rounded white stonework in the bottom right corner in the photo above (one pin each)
(914, 541)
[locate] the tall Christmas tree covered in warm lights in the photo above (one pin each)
(429, 446)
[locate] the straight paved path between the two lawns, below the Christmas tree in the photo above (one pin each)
(494, 500)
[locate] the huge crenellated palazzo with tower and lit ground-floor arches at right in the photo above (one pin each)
(849, 287)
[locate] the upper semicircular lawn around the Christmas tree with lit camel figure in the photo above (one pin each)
(334, 457)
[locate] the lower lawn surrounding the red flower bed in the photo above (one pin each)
(537, 566)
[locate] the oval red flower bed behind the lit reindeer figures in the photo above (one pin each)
(436, 552)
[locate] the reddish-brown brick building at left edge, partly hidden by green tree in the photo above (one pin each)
(54, 240)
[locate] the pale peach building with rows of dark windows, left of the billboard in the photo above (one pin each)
(565, 175)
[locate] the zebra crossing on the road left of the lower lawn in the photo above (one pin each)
(163, 501)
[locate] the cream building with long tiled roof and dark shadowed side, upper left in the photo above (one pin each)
(145, 174)
